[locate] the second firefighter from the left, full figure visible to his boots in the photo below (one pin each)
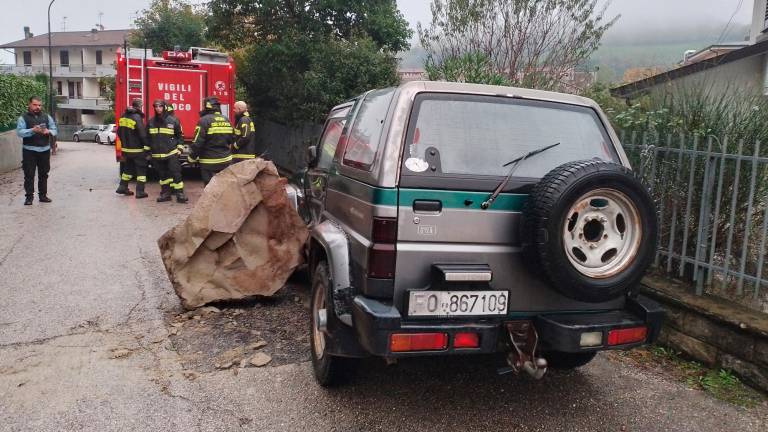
(165, 142)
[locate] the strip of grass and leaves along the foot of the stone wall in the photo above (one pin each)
(719, 383)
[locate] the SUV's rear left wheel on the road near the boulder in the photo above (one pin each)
(329, 370)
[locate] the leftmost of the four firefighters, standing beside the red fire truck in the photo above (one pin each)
(133, 140)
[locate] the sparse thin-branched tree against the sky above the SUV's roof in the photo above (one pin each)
(532, 43)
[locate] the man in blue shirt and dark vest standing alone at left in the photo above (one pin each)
(36, 129)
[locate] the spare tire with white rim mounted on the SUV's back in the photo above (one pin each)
(590, 229)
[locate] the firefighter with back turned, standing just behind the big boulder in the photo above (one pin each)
(213, 138)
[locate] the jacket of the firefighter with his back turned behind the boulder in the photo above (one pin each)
(213, 137)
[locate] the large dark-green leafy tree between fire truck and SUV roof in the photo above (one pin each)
(296, 59)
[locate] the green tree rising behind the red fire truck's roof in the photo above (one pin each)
(169, 23)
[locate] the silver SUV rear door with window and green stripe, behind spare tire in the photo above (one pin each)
(453, 156)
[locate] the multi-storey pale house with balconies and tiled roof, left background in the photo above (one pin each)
(80, 59)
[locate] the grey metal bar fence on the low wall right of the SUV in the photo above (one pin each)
(712, 196)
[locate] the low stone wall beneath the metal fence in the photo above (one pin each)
(713, 331)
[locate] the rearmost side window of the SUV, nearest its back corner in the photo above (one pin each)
(363, 138)
